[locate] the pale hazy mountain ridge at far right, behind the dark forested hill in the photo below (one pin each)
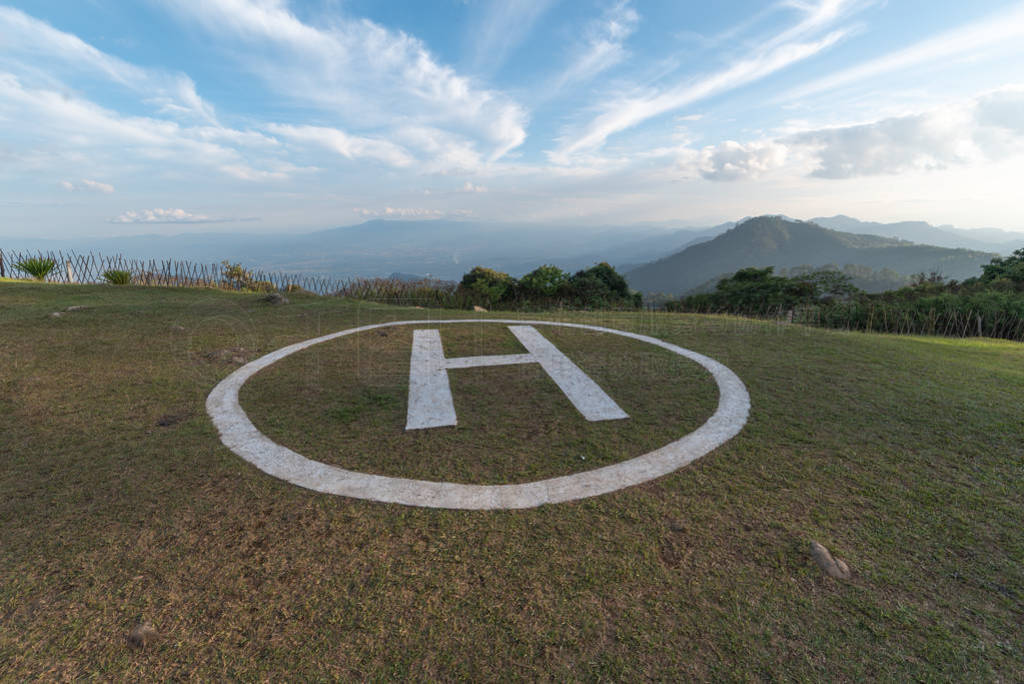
(987, 240)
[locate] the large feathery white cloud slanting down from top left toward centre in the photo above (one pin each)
(363, 74)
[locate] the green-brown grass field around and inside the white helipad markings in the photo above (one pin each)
(905, 456)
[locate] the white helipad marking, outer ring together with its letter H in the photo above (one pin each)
(239, 434)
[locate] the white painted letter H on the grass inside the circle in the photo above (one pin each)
(431, 402)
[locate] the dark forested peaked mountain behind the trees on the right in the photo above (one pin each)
(775, 241)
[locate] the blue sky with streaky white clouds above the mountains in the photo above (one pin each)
(174, 116)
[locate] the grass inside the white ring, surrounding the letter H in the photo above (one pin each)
(345, 403)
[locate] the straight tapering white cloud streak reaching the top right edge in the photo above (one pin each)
(998, 30)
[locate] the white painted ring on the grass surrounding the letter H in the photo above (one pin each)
(240, 436)
